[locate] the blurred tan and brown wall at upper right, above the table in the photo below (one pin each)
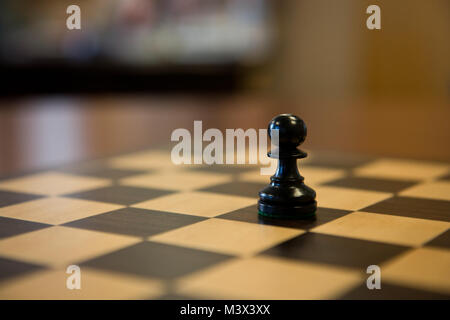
(327, 50)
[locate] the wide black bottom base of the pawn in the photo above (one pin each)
(304, 211)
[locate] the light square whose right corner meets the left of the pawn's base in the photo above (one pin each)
(197, 203)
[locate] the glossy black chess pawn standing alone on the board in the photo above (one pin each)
(287, 196)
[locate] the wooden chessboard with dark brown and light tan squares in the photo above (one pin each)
(139, 227)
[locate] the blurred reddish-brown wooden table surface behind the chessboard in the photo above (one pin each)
(42, 131)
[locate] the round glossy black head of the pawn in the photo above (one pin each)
(291, 129)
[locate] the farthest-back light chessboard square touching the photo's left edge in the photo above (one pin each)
(52, 183)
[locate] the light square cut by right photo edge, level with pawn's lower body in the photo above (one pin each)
(437, 190)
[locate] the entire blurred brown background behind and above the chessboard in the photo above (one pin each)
(139, 69)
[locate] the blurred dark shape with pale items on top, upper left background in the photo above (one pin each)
(131, 45)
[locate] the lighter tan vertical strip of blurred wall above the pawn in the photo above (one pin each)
(320, 53)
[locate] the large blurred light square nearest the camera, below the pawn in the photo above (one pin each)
(269, 278)
